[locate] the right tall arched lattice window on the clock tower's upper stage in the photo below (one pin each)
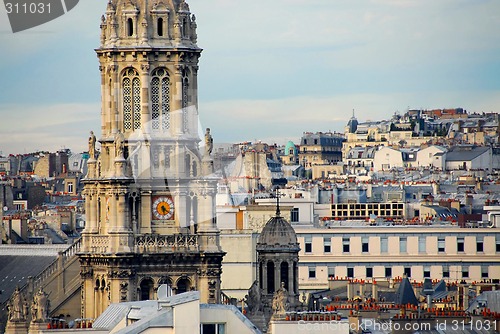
(160, 100)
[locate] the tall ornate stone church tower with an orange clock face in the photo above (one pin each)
(149, 194)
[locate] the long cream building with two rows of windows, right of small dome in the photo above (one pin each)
(385, 252)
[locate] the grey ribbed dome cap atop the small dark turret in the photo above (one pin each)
(279, 234)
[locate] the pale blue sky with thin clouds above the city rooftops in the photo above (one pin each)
(270, 70)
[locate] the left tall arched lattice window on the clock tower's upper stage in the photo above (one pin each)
(131, 100)
